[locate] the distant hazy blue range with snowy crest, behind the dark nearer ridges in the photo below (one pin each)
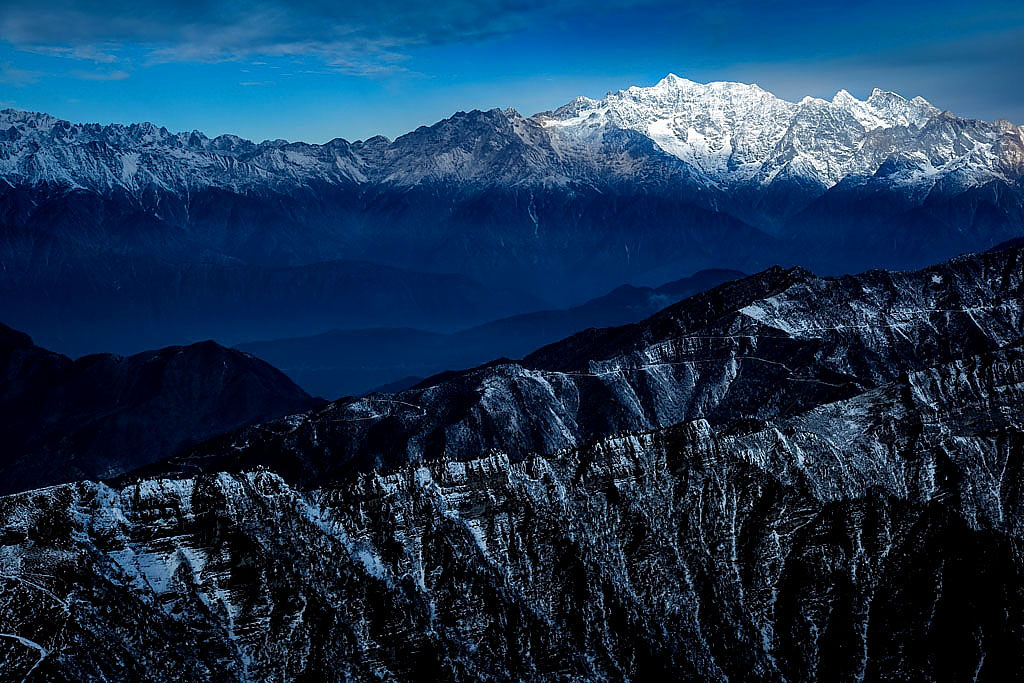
(639, 188)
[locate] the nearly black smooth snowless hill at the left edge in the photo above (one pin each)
(103, 415)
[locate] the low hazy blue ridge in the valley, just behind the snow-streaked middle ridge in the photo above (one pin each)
(355, 362)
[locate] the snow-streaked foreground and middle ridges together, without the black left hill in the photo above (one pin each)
(786, 478)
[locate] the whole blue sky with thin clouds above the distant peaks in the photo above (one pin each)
(314, 70)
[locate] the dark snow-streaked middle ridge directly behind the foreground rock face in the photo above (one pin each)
(764, 348)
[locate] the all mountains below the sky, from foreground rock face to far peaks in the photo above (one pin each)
(572, 472)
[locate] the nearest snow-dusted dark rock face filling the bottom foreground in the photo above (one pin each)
(870, 539)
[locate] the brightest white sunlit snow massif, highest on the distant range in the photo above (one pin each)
(736, 134)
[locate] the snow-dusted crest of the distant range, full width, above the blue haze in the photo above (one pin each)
(728, 135)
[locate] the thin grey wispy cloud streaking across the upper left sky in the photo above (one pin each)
(356, 38)
